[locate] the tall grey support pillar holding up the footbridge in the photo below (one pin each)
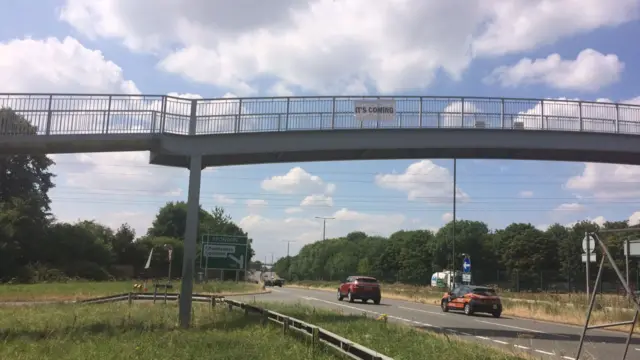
(190, 240)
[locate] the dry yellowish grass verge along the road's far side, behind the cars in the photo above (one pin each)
(562, 308)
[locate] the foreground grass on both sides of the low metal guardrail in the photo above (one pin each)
(147, 331)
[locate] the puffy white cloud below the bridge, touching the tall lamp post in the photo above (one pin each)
(423, 181)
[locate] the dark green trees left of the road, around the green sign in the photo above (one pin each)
(35, 246)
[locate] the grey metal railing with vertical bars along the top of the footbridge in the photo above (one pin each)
(77, 114)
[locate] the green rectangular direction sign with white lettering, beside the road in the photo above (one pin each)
(224, 252)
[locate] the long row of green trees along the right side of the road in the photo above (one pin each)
(519, 256)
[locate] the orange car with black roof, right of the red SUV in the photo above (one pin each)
(472, 299)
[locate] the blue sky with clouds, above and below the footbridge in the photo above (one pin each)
(294, 49)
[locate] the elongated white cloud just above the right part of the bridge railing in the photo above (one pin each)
(590, 71)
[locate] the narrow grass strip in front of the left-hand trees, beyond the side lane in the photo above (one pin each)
(78, 290)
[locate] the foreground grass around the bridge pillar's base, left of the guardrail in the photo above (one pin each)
(143, 331)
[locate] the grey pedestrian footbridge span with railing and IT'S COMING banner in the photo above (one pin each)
(232, 131)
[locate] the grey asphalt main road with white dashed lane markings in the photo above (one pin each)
(540, 339)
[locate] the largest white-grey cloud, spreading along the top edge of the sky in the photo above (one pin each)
(334, 46)
